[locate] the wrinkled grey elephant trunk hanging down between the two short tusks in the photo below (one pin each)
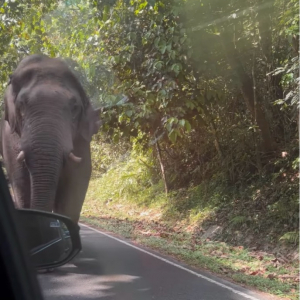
(45, 145)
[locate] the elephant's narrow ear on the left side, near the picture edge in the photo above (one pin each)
(10, 109)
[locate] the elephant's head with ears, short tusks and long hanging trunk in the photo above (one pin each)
(46, 106)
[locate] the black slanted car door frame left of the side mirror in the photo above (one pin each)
(19, 272)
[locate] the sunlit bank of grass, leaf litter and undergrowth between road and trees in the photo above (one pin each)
(261, 217)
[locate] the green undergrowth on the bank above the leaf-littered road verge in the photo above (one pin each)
(267, 210)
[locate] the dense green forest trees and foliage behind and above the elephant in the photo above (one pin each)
(208, 89)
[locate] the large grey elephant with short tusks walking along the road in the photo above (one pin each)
(46, 132)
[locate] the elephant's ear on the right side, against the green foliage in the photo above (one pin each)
(90, 123)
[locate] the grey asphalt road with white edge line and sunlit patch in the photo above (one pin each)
(111, 269)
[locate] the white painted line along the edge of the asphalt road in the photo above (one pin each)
(176, 265)
